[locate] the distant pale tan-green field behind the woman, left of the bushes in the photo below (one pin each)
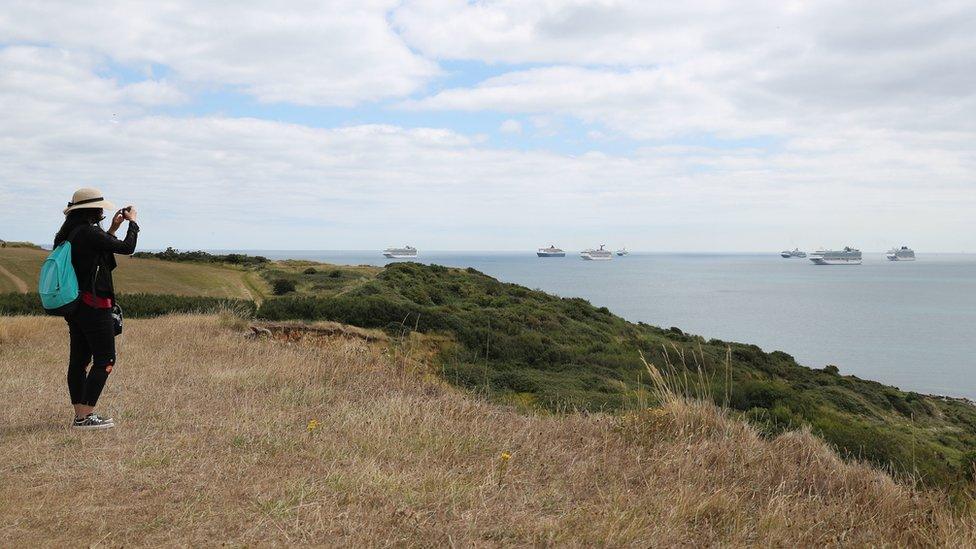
(142, 275)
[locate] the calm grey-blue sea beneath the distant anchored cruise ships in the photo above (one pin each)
(912, 325)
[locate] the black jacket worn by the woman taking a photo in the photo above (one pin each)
(93, 257)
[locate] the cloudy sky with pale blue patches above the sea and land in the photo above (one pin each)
(450, 124)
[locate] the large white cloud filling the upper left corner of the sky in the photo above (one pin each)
(306, 52)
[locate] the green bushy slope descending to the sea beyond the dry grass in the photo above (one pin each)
(532, 348)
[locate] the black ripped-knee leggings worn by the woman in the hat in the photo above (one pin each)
(92, 342)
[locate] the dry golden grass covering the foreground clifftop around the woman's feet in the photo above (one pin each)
(335, 442)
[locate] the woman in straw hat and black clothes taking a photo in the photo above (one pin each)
(91, 327)
